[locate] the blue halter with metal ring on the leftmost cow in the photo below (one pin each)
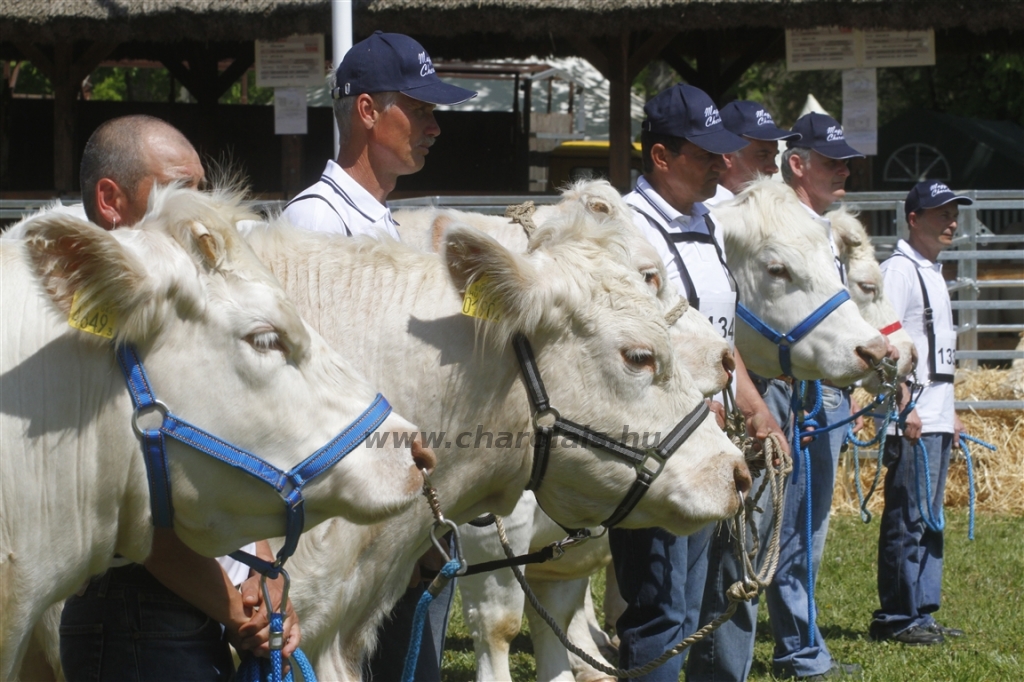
(288, 484)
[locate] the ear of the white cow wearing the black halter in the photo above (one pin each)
(473, 255)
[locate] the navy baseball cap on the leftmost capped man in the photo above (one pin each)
(390, 63)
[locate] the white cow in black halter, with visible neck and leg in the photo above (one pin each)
(605, 354)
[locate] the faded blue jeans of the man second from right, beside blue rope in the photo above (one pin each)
(788, 595)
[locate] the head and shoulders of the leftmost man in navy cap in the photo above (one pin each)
(385, 95)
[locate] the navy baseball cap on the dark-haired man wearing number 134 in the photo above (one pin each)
(685, 111)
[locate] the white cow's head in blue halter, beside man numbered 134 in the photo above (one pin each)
(785, 271)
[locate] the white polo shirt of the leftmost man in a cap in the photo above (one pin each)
(339, 204)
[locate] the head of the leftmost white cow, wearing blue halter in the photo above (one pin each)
(227, 351)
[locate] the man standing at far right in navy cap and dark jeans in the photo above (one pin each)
(910, 546)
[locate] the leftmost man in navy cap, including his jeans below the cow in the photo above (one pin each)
(385, 92)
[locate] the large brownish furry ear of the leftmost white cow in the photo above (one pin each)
(74, 258)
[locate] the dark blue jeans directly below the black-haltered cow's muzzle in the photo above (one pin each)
(661, 577)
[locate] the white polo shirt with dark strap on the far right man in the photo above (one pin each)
(935, 406)
